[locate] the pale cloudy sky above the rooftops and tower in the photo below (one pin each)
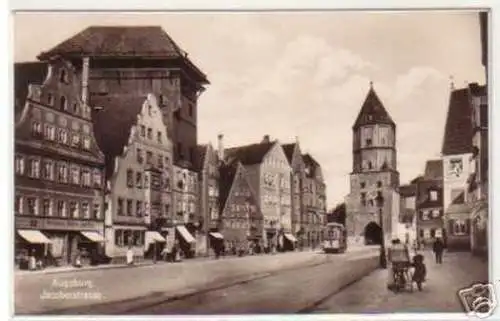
(307, 74)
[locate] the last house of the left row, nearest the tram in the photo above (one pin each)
(314, 196)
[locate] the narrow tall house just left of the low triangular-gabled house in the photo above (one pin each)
(208, 178)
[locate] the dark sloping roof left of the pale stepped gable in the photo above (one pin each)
(113, 123)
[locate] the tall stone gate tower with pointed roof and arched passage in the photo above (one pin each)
(374, 172)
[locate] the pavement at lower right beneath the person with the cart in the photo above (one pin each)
(439, 294)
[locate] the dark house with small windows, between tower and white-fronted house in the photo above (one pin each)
(430, 219)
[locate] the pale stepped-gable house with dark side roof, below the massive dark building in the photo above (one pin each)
(132, 135)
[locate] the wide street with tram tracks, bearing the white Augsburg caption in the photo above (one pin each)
(168, 288)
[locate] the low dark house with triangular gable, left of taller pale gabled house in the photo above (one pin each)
(240, 216)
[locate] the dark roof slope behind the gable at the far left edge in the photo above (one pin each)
(26, 73)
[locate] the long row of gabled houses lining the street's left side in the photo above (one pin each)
(107, 159)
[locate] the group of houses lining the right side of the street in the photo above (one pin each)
(450, 200)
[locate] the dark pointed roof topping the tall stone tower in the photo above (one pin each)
(372, 112)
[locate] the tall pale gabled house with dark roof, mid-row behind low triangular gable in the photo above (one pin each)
(269, 176)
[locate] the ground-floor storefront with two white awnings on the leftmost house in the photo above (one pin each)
(58, 241)
